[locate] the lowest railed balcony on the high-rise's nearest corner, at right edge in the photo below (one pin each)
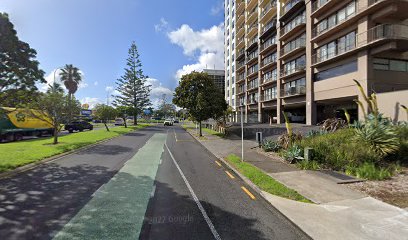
(376, 35)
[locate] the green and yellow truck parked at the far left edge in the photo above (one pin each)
(17, 123)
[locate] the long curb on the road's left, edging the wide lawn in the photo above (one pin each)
(33, 165)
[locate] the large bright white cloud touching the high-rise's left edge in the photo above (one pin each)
(206, 46)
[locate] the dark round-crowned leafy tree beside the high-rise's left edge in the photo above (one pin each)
(199, 95)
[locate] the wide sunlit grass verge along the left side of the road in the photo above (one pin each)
(17, 154)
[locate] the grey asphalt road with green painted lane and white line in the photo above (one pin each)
(156, 183)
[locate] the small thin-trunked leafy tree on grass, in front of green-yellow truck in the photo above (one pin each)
(53, 107)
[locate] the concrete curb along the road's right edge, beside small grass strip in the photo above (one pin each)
(250, 184)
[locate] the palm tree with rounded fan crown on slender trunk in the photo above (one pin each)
(71, 77)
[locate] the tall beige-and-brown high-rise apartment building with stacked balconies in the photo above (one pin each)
(301, 56)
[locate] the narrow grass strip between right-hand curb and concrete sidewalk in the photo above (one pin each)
(265, 182)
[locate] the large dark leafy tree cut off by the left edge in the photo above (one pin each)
(19, 69)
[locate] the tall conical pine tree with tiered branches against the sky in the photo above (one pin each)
(132, 88)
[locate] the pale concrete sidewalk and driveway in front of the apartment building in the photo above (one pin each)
(339, 212)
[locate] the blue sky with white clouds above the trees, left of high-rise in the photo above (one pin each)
(174, 37)
